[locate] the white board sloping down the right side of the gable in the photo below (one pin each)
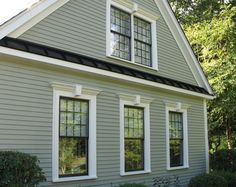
(183, 44)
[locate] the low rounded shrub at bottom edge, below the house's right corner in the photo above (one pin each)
(208, 180)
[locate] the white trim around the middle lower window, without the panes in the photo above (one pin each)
(126, 99)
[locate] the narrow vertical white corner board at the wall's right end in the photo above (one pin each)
(206, 136)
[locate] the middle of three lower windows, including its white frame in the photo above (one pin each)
(134, 135)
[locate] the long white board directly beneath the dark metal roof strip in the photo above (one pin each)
(62, 63)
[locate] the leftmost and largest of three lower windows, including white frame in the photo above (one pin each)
(74, 132)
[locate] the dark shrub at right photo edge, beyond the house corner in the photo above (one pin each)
(224, 160)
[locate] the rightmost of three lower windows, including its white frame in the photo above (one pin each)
(177, 137)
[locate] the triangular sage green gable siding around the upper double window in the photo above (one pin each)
(80, 26)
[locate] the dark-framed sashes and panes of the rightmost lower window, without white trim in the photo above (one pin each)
(176, 139)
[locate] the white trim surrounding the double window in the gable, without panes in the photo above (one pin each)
(133, 10)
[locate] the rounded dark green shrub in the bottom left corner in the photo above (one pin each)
(19, 169)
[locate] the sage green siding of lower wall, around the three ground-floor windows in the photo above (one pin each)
(26, 99)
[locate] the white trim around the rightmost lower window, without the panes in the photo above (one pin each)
(185, 136)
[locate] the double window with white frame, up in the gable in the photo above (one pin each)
(131, 34)
